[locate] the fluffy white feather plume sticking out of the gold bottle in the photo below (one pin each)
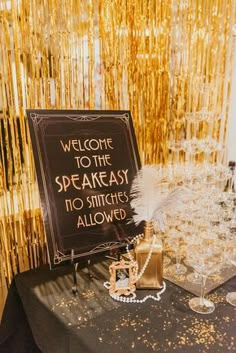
(148, 199)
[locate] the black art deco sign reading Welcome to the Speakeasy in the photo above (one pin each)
(85, 163)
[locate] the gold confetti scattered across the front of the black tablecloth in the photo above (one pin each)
(162, 330)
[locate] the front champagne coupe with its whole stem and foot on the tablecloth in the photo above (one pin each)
(206, 259)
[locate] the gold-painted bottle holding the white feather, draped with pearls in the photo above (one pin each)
(152, 277)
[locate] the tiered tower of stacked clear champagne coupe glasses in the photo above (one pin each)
(200, 241)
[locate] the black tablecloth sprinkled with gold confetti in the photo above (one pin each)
(41, 314)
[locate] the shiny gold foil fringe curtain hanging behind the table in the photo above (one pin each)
(152, 57)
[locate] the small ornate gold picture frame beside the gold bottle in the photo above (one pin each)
(122, 280)
